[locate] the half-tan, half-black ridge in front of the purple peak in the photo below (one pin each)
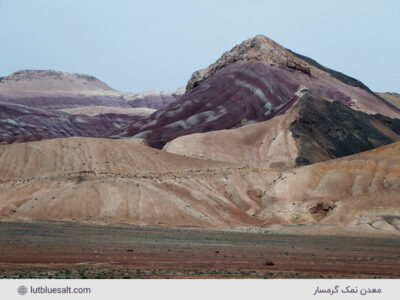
(312, 130)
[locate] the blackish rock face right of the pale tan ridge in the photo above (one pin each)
(326, 130)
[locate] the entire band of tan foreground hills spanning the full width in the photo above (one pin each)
(113, 181)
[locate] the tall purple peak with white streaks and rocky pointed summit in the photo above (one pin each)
(254, 82)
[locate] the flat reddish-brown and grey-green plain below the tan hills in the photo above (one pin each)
(68, 250)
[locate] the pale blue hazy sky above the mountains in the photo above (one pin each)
(141, 45)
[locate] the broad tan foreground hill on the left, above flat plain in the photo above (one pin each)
(110, 181)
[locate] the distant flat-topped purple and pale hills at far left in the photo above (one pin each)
(37, 105)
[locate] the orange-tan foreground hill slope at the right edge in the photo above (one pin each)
(361, 190)
